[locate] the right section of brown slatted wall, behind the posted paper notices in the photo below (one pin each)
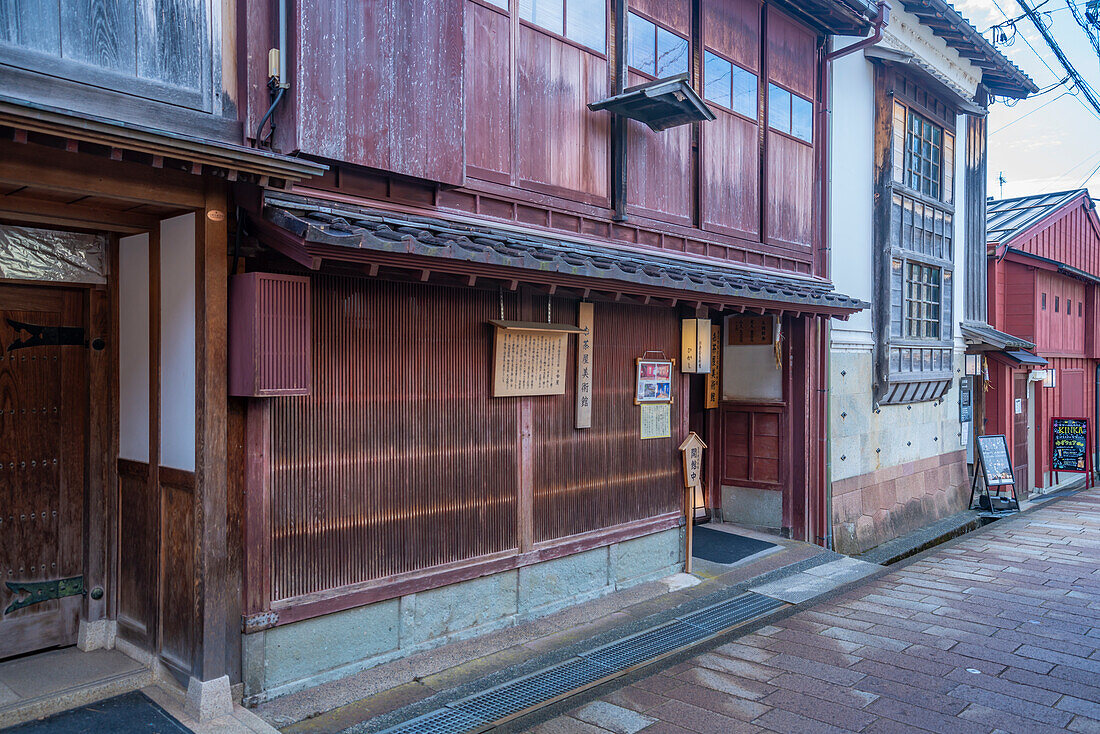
(591, 479)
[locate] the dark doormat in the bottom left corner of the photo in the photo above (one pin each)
(130, 714)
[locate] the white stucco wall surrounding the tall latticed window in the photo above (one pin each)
(863, 441)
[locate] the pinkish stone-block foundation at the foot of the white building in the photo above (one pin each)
(884, 505)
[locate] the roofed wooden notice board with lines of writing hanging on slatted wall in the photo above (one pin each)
(530, 358)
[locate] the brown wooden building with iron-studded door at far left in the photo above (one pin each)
(120, 150)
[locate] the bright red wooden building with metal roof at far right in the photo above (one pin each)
(1044, 287)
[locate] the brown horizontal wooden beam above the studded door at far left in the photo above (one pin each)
(86, 176)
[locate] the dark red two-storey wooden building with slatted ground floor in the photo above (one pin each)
(500, 170)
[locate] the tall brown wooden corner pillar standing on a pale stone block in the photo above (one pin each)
(208, 693)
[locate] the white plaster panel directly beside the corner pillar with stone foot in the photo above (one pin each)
(178, 343)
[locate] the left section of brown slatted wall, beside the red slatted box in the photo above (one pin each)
(399, 461)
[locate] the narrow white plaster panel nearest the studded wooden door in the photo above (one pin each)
(134, 348)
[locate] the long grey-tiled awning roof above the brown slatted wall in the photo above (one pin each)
(312, 232)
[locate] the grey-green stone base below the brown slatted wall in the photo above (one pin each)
(284, 660)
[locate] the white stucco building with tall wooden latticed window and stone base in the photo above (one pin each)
(910, 109)
